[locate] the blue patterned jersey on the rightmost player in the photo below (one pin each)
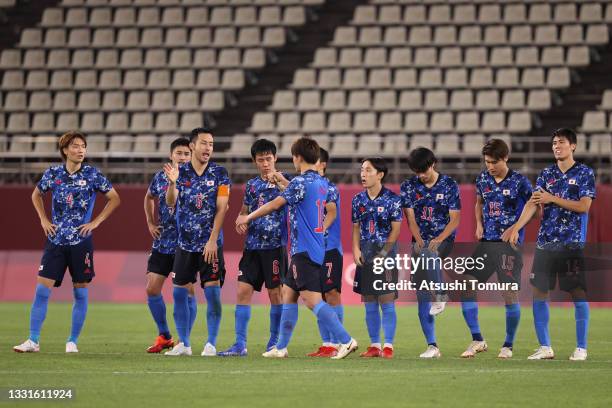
(561, 228)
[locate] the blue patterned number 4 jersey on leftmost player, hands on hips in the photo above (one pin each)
(73, 198)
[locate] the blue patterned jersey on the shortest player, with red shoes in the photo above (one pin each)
(375, 217)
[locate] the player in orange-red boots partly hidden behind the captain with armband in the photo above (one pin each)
(164, 235)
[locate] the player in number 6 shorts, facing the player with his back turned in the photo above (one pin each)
(264, 259)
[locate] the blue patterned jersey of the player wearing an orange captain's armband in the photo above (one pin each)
(197, 204)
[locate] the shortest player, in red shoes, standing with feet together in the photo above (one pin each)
(376, 214)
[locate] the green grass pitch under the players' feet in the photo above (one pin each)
(113, 369)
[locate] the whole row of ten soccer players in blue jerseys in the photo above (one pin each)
(299, 214)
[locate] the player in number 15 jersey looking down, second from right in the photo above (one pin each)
(501, 194)
